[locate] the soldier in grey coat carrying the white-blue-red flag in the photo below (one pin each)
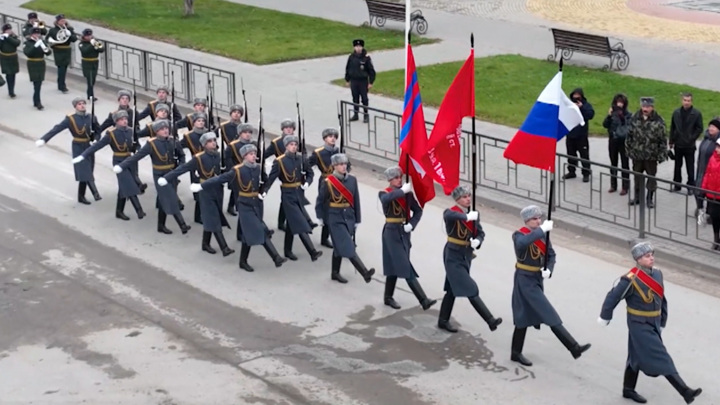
(529, 303)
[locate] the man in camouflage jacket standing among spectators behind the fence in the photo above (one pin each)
(646, 145)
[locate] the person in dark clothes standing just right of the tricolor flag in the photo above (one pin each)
(577, 140)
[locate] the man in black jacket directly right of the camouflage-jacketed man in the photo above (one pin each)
(685, 129)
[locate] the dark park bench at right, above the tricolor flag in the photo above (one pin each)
(569, 42)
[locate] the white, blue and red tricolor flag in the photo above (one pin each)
(551, 118)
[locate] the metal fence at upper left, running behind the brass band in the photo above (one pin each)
(149, 70)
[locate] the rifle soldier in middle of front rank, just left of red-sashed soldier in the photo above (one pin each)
(287, 168)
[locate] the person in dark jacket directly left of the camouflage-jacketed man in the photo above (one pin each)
(617, 123)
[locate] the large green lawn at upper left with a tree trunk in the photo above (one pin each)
(246, 33)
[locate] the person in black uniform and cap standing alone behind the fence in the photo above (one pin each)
(360, 76)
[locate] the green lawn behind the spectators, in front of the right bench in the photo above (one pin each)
(508, 85)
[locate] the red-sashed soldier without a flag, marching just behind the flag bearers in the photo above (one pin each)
(338, 208)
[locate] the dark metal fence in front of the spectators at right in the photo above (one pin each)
(673, 217)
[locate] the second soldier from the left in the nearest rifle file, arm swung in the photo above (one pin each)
(121, 142)
